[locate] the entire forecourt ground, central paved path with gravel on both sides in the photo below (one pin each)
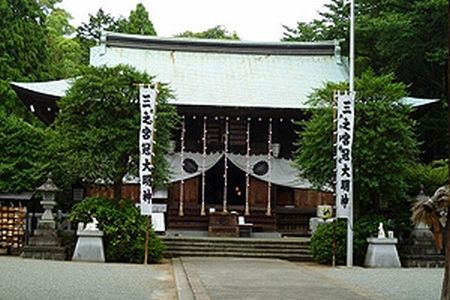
(211, 278)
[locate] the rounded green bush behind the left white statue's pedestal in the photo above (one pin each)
(123, 226)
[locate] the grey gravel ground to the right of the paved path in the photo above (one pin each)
(399, 284)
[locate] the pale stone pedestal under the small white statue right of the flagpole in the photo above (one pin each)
(382, 253)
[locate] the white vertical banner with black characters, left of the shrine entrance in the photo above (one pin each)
(147, 100)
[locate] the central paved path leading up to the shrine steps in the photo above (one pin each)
(238, 278)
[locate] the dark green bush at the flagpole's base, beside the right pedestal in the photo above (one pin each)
(322, 239)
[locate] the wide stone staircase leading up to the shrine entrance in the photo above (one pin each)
(294, 249)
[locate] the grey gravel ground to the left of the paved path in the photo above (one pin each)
(38, 279)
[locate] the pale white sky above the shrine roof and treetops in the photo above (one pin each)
(256, 20)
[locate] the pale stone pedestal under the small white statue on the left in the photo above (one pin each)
(89, 246)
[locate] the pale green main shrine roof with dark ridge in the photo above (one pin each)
(227, 73)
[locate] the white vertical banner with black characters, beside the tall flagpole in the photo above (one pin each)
(344, 168)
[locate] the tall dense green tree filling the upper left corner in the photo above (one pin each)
(23, 48)
